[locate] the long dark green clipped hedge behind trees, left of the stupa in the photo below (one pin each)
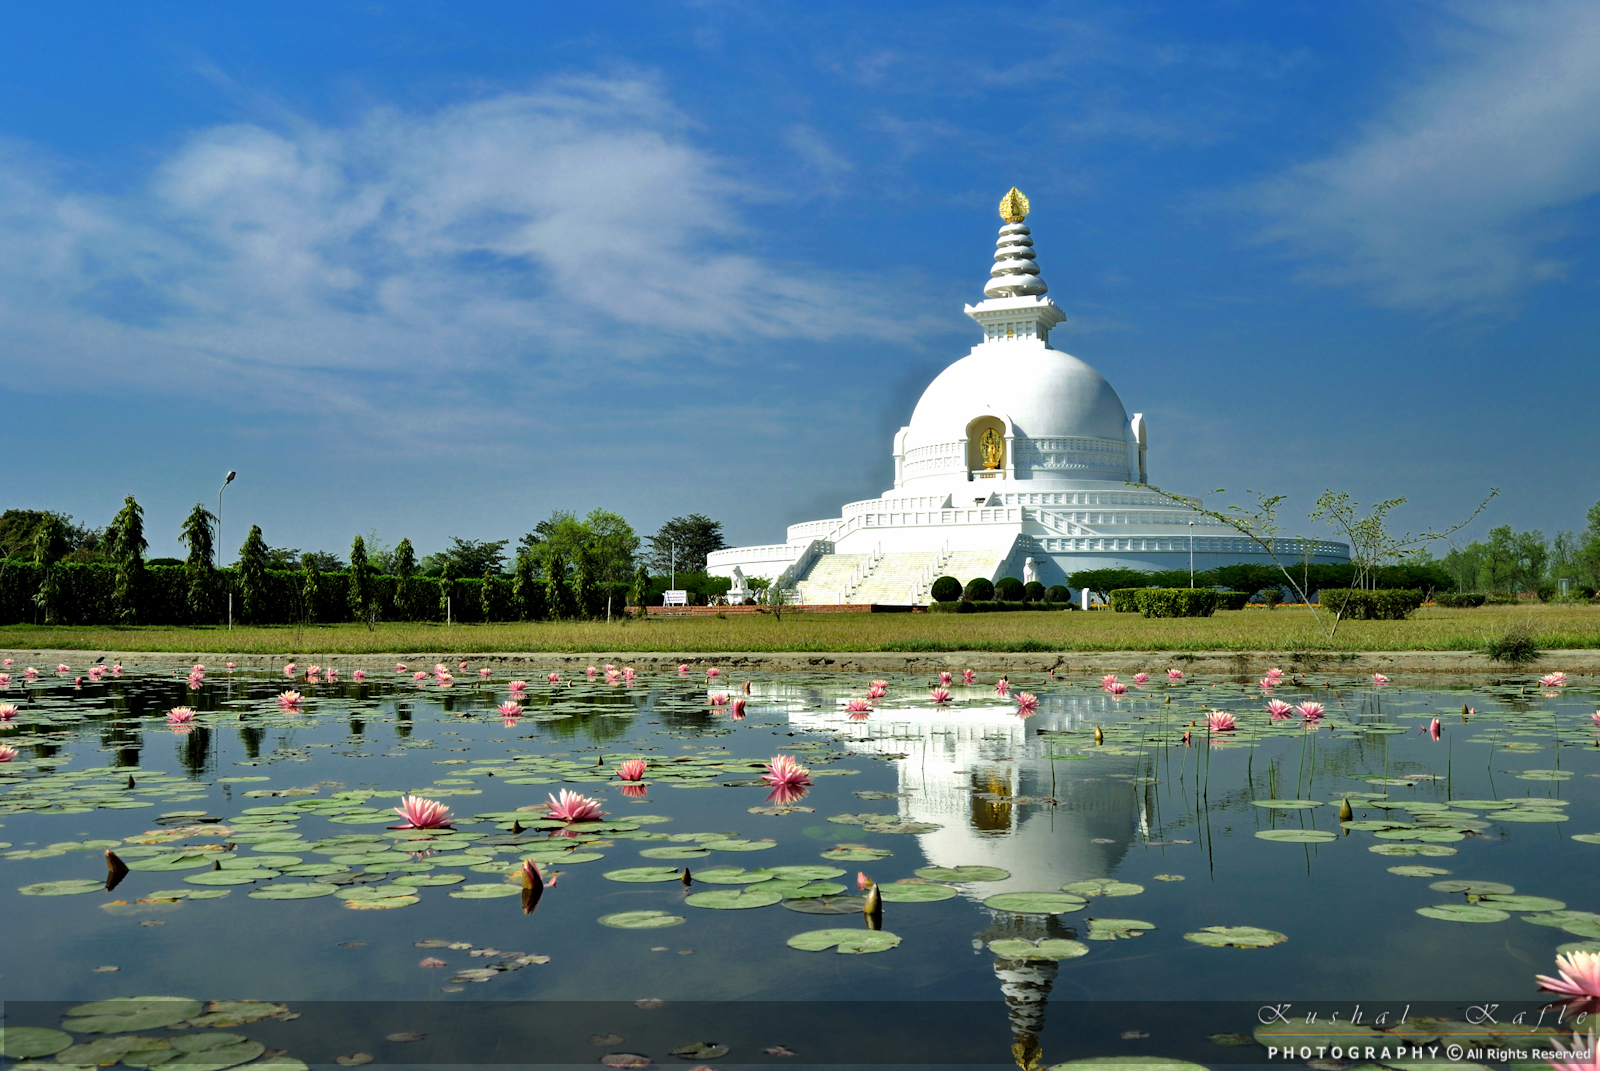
(86, 595)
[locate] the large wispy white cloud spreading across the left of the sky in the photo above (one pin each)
(522, 241)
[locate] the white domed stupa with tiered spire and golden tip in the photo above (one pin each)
(1020, 460)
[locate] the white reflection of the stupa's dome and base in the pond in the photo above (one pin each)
(974, 769)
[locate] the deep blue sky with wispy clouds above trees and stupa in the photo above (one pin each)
(439, 270)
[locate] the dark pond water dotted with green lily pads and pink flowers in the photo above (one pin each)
(1126, 851)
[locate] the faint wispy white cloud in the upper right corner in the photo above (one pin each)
(1454, 196)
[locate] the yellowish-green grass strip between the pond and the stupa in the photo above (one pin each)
(1284, 630)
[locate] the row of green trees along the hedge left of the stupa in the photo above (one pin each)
(567, 568)
